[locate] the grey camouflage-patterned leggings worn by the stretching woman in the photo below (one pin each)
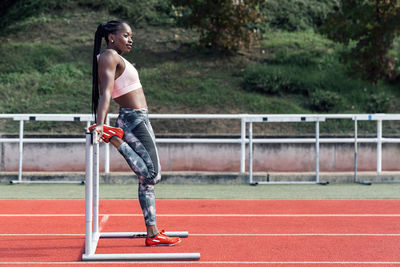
(140, 152)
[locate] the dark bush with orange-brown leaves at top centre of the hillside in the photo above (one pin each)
(223, 24)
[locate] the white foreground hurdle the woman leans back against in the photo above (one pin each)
(93, 235)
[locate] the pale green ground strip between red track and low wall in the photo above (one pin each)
(168, 191)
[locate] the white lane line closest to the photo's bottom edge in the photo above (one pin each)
(211, 262)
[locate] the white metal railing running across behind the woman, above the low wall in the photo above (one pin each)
(243, 140)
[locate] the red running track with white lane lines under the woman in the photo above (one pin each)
(225, 232)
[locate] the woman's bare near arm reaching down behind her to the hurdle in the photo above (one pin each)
(107, 65)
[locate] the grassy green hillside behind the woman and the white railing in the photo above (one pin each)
(45, 67)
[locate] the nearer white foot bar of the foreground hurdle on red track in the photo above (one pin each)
(143, 257)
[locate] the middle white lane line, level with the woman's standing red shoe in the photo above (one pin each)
(239, 234)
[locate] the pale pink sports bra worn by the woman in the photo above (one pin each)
(127, 82)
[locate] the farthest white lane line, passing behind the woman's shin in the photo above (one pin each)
(206, 215)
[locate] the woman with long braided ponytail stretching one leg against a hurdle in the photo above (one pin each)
(114, 77)
